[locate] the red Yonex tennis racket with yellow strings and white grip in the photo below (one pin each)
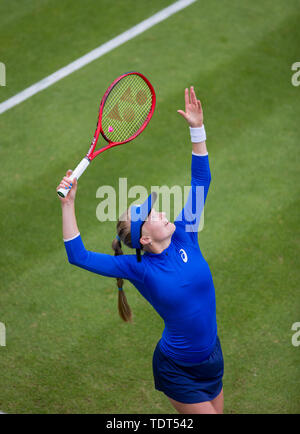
(125, 110)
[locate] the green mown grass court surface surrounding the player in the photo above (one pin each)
(67, 350)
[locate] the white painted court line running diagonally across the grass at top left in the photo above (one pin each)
(95, 54)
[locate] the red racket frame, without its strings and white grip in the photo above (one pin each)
(91, 154)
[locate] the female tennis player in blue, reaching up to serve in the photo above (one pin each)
(172, 275)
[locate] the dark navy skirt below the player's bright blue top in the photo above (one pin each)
(189, 384)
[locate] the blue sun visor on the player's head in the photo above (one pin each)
(139, 214)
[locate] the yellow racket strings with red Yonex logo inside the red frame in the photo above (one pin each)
(126, 108)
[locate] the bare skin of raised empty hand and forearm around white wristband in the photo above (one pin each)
(193, 114)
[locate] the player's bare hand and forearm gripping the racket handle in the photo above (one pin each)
(70, 228)
